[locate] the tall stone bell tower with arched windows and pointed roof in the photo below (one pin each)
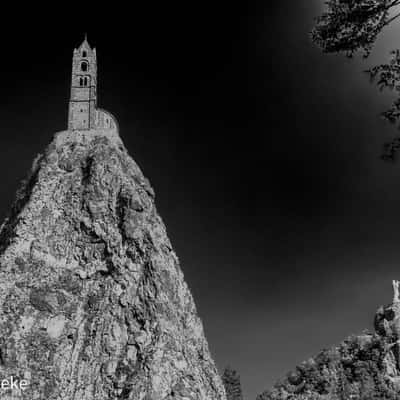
(83, 100)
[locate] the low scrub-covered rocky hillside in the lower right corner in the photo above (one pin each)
(364, 367)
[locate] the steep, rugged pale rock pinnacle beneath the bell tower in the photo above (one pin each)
(93, 303)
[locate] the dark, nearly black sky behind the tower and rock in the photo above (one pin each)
(264, 154)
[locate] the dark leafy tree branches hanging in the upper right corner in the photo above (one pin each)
(349, 26)
